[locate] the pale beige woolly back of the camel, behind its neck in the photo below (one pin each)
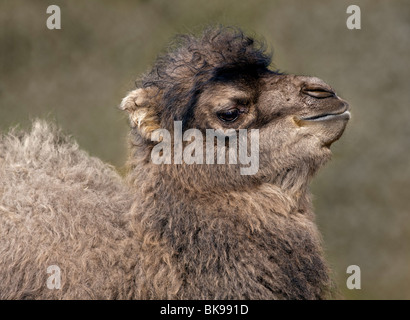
(58, 206)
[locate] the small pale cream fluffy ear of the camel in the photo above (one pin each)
(139, 105)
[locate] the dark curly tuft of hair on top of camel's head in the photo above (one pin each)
(193, 62)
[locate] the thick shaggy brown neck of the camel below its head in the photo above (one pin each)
(262, 237)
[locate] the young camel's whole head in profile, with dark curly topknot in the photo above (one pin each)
(221, 81)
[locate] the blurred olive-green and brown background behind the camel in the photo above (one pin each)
(77, 76)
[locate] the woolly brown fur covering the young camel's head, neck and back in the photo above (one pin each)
(169, 231)
